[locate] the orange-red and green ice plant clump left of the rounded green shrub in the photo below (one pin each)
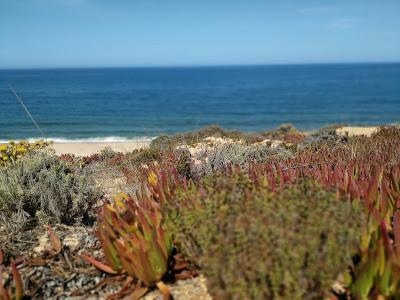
(134, 241)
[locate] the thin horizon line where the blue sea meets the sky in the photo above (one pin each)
(193, 66)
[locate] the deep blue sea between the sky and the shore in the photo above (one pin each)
(132, 103)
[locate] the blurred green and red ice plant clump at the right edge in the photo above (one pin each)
(377, 273)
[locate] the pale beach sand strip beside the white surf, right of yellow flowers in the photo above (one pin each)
(88, 148)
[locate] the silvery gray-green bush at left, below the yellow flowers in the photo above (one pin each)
(41, 185)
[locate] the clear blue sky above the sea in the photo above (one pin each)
(86, 33)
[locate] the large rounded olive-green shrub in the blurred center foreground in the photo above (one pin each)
(254, 244)
